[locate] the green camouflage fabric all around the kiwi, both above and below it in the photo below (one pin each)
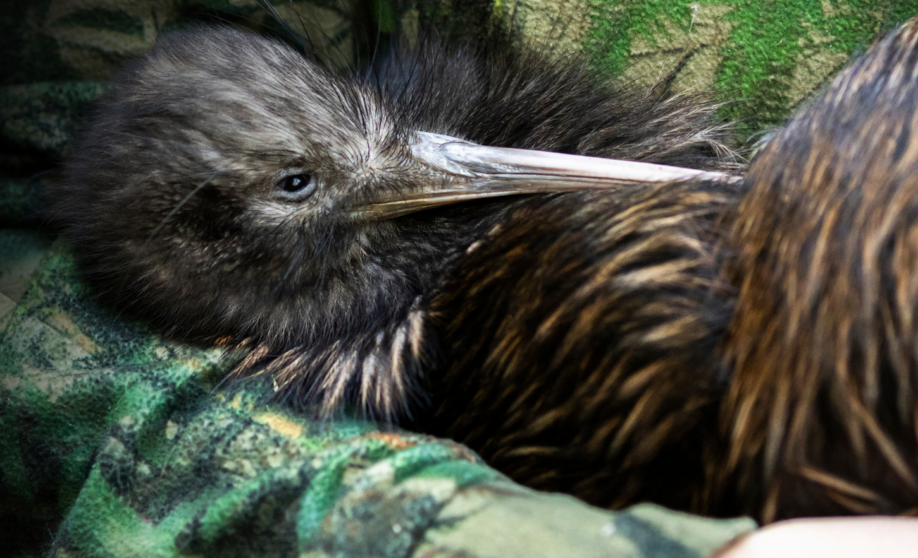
(114, 442)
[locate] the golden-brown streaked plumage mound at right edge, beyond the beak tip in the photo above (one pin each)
(823, 341)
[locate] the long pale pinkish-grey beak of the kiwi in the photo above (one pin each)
(466, 171)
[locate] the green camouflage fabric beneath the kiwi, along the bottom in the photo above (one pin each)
(131, 441)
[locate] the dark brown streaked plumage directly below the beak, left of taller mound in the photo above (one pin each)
(593, 369)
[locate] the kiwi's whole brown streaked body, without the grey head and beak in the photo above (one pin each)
(724, 350)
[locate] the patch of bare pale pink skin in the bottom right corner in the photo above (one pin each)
(862, 537)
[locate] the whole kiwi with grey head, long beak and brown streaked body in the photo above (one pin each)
(378, 239)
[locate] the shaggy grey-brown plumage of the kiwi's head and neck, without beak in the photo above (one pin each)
(177, 200)
